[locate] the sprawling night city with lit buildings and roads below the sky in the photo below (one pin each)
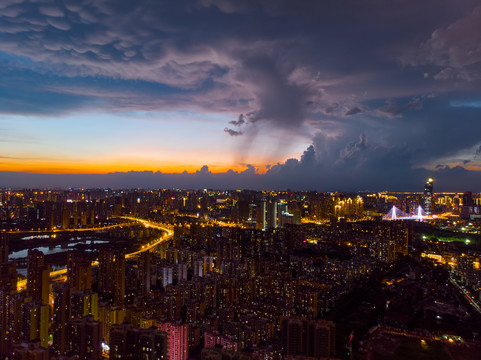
(244, 275)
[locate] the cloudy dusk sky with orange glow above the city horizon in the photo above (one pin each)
(260, 94)
